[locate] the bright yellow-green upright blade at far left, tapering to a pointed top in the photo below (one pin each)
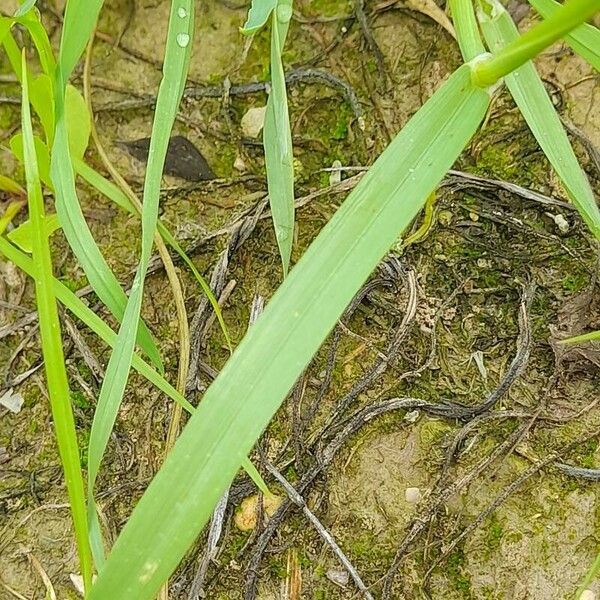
(52, 350)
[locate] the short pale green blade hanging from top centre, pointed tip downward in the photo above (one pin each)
(277, 139)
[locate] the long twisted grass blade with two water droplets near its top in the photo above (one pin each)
(176, 63)
